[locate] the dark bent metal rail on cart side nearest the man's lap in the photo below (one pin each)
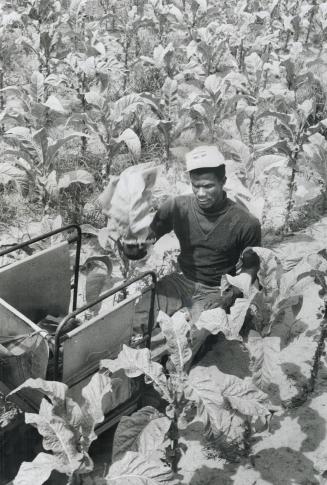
(60, 329)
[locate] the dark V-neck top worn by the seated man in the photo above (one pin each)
(210, 242)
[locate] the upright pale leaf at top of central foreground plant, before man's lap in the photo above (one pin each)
(176, 331)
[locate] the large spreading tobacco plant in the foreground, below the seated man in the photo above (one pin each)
(222, 401)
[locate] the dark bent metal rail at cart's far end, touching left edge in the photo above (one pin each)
(77, 238)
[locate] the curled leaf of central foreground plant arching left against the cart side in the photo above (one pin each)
(136, 362)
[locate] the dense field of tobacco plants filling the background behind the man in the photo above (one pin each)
(126, 82)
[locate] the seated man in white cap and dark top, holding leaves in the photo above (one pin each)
(212, 231)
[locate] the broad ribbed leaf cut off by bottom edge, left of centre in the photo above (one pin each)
(134, 469)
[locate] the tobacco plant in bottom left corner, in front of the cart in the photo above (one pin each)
(66, 426)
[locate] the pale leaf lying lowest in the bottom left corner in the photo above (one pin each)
(39, 470)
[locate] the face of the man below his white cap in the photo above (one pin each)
(207, 189)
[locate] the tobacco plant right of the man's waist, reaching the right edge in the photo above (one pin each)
(276, 300)
